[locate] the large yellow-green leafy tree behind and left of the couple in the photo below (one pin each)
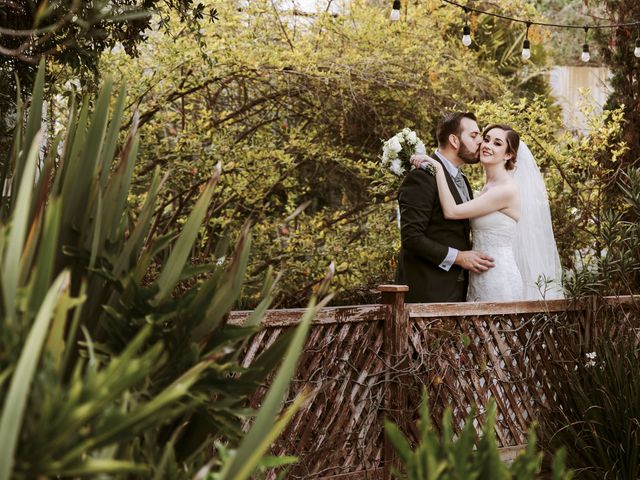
(296, 108)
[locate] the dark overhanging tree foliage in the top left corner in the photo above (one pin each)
(73, 34)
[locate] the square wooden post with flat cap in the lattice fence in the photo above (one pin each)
(396, 343)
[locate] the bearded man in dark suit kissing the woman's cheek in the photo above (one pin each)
(436, 254)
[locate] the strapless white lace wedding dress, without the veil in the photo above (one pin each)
(494, 234)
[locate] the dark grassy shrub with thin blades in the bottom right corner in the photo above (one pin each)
(596, 409)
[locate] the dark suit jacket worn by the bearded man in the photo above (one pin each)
(426, 237)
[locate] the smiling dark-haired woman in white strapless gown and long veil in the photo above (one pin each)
(510, 221)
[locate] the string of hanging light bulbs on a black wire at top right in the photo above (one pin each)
(526, 47)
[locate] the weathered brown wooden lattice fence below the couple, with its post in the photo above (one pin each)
(364, 363)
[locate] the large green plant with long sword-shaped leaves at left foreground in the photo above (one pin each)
(102, 370)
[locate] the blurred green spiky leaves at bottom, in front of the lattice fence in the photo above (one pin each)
(447, 456)
